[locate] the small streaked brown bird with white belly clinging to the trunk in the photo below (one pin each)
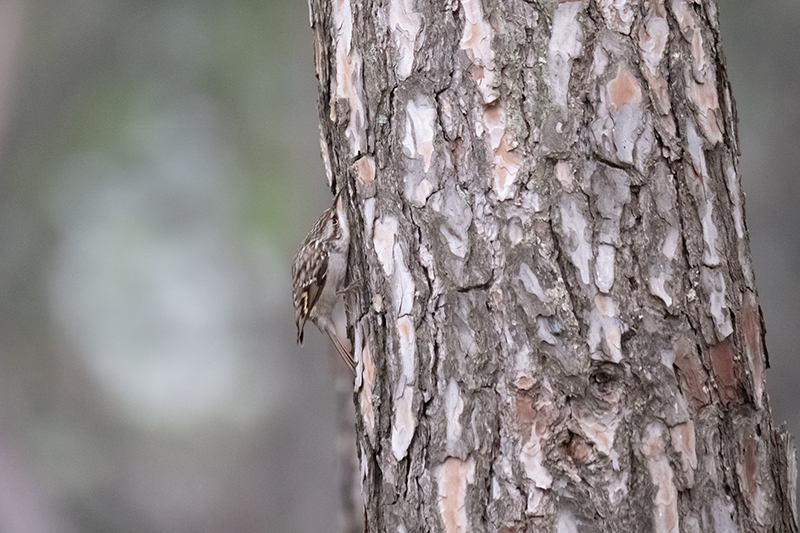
(318, 274)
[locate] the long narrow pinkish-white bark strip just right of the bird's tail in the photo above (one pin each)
(404, 422)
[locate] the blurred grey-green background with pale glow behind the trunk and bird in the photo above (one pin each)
(159, 164)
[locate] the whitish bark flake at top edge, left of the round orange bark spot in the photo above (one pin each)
(564, 46)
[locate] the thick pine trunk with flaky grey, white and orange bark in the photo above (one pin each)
(556, 319)
